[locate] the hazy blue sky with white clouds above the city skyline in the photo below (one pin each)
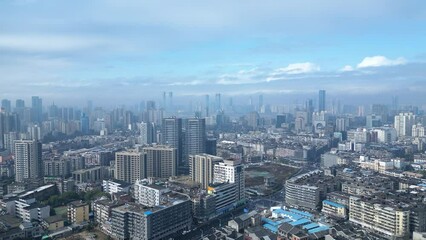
(122, 51)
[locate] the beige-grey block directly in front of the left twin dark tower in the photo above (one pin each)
(161, 161)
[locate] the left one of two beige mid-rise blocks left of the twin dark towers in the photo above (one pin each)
(130, 166)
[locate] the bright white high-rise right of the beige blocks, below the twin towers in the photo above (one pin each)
(231, 171)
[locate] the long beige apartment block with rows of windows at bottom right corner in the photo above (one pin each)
(391, 221)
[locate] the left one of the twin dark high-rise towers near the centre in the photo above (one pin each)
(171, 135)
